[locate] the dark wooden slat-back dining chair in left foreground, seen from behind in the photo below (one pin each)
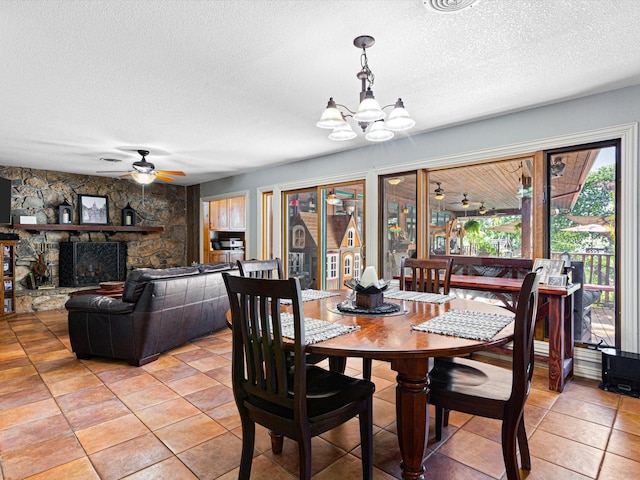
(300, 402)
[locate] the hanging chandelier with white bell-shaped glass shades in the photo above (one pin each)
(370, 116)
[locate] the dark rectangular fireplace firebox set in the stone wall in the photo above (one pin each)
(85, 264)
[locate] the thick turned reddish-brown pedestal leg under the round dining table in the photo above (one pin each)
(412, 413)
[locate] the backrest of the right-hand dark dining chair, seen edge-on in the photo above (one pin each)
(523, 352)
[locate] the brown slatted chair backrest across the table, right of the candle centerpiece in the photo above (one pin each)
(427, 274)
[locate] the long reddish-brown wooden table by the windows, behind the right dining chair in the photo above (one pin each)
(558, 307)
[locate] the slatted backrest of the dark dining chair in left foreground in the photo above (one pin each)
(259, 360)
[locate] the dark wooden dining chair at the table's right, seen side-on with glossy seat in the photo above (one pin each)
(478, 388)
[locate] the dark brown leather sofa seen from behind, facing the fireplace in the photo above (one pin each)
(160, 309)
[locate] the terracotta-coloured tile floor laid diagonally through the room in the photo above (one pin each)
(175, 418)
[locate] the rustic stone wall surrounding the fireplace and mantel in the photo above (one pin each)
(39, 193)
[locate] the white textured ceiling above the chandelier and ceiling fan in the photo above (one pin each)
(220, 87)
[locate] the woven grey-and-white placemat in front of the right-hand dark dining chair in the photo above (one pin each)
(466, 324)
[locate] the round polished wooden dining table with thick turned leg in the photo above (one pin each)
(391, 338)
